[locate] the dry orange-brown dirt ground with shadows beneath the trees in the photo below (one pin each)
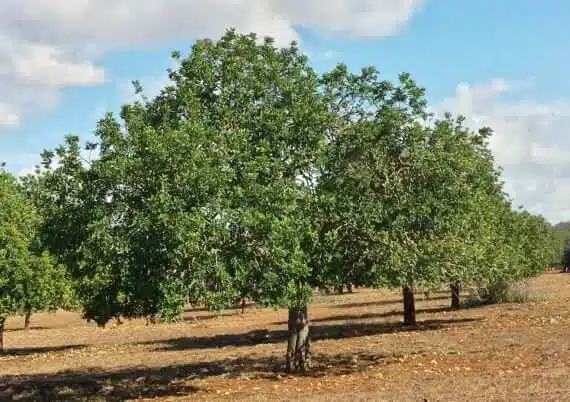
(510, 352)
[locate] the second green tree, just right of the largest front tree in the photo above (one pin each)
(404, 196)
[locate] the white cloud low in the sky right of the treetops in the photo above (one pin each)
(530, 142)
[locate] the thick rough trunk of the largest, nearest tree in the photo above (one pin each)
(298, 346)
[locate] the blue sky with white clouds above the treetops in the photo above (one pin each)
(500, 63)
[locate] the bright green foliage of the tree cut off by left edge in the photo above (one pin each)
(30, 279)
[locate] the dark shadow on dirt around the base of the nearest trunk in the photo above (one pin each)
(170, 381)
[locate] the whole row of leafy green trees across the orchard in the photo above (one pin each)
(252, 176)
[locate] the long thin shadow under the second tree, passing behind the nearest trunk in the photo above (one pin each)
(318, 332)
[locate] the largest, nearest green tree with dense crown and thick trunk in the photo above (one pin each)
(202, 194)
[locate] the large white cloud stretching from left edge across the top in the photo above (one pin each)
(48, 45)
